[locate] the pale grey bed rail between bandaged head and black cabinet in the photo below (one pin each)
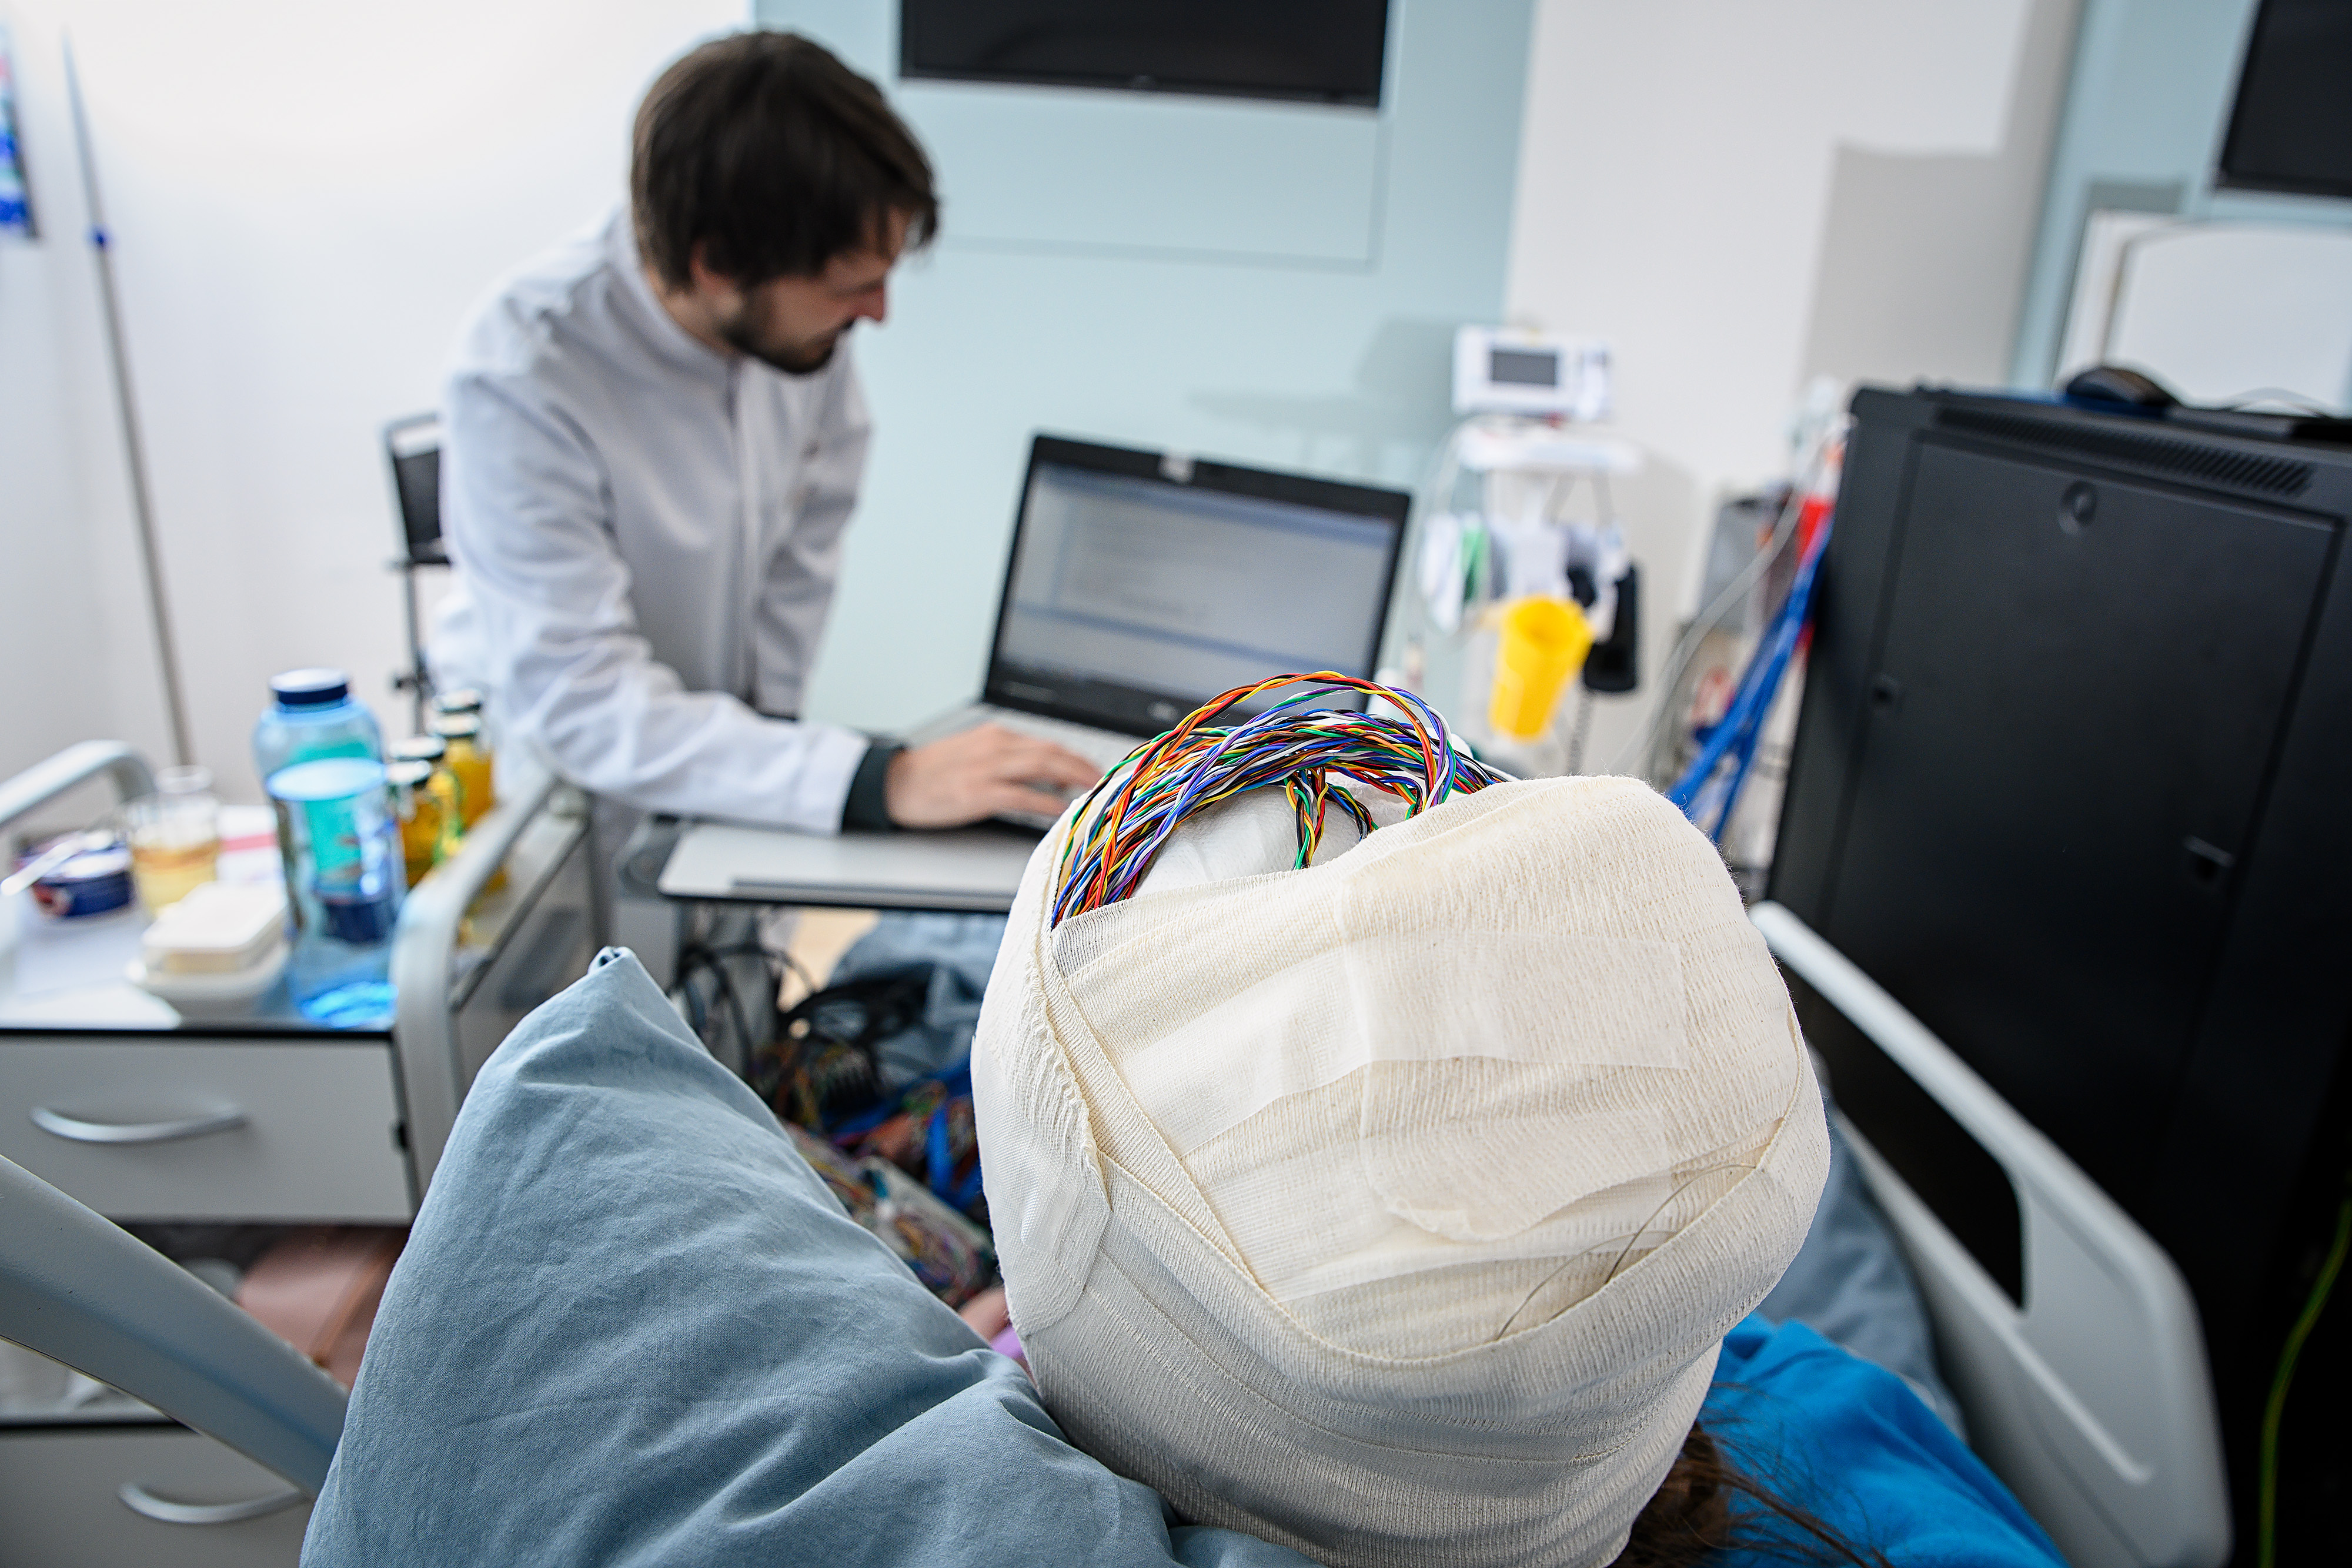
(2087, 1391)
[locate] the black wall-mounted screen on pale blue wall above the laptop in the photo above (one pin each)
(1302, 51)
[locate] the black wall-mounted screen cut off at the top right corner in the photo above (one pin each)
(2292, 126)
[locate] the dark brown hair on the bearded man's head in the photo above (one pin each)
(775, 159)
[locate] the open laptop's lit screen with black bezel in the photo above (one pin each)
(1144, 584)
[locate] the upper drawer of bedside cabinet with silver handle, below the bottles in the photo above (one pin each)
(208, 1130)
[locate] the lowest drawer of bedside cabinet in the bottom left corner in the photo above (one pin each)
(62, 1501)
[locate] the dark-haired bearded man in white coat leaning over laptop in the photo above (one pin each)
(653, 443)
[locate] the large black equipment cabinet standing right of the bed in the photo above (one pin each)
(2071, 784)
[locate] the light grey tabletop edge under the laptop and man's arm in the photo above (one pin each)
(965, 869)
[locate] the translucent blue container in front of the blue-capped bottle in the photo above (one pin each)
(345, 880)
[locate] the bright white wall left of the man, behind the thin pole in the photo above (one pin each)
(305, 203)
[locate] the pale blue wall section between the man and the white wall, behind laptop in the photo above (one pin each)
(1278, 354)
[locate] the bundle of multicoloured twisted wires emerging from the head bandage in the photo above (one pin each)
(1130, 817)
